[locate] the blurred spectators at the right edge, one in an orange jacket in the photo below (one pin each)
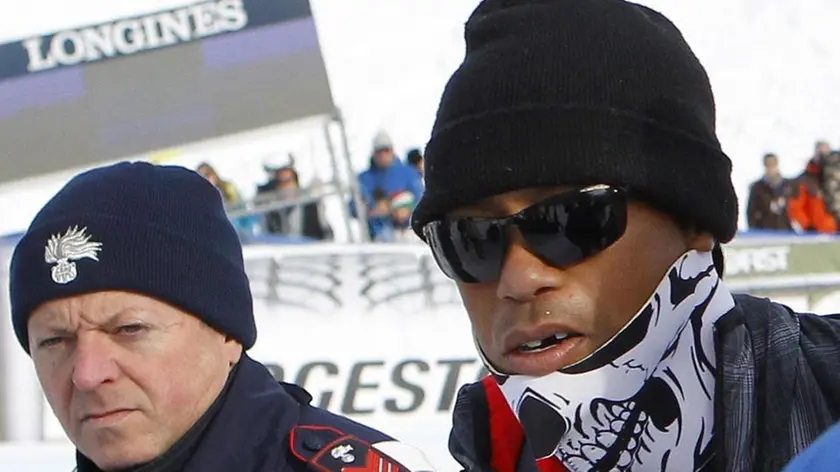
(806, 203)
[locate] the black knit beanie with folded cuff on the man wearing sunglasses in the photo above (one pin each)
(578, 92)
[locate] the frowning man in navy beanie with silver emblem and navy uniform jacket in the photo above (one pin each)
(129, 292)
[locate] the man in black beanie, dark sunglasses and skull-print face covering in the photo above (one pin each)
(577, 193)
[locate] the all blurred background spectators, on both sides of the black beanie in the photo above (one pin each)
(391, 185)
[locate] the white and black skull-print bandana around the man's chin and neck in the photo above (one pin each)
(644, 400)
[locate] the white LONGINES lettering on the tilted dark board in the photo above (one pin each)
(130, 36)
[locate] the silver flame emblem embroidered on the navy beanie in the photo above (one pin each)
(63, 249)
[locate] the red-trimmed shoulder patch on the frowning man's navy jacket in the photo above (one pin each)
(326, 449)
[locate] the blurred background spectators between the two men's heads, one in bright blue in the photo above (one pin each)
(389, 188)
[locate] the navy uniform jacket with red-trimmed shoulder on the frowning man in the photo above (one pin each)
(260, 425)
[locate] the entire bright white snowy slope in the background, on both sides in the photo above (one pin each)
(773, 64)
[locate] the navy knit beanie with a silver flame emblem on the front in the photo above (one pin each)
(159, 231)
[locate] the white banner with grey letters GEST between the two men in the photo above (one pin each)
(373, 332)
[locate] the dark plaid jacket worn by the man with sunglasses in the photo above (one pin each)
(778, 388)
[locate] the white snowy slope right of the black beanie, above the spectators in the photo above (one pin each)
(775, 71)
